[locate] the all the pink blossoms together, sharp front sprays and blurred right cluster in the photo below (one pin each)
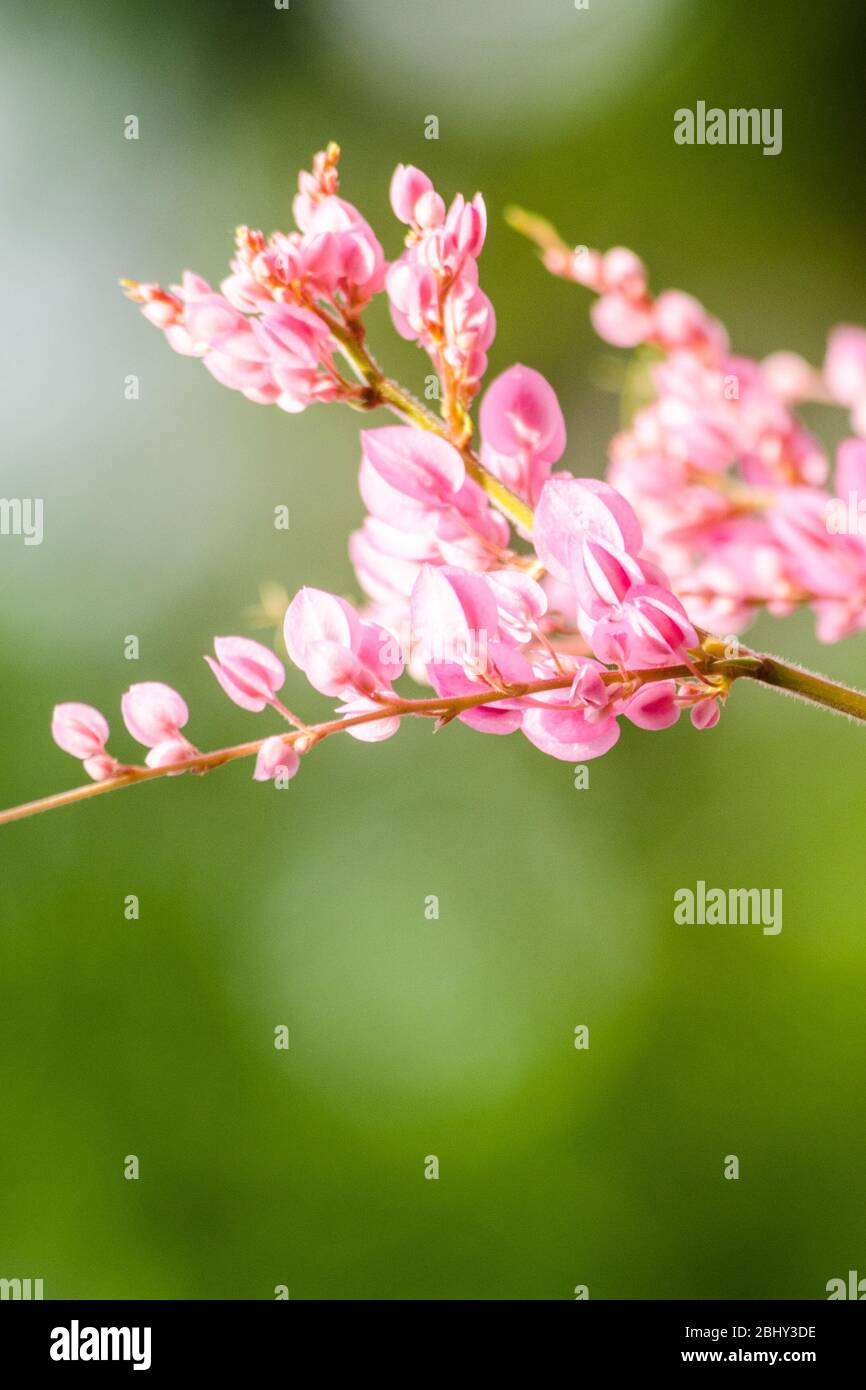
(528, 600)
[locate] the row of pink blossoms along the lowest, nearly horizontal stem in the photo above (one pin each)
(475, 635)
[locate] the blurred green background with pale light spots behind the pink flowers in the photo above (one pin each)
(307, 907)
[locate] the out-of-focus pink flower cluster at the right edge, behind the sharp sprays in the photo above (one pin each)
(728, 482)
